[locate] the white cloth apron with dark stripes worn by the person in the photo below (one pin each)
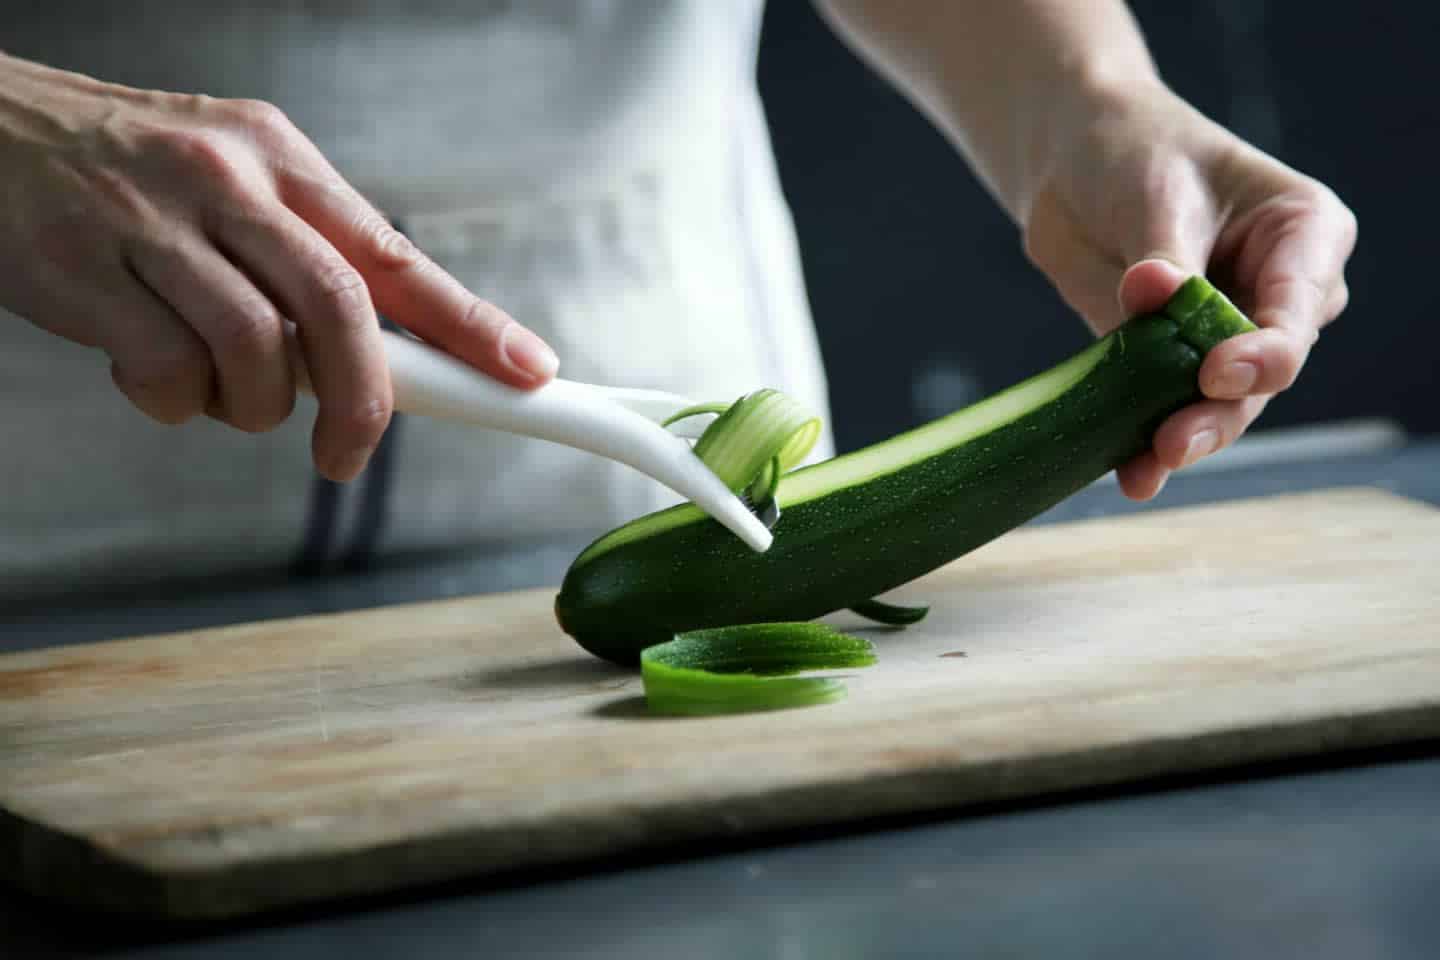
(601, 169)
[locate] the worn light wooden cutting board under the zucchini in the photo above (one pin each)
(233, 771)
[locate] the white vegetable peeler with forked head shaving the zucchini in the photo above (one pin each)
(618, 424)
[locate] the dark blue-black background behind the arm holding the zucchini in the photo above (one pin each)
(902, 243)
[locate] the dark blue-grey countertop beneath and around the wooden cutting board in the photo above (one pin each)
(1331, 860)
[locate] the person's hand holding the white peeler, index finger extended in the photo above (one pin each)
(189, 238)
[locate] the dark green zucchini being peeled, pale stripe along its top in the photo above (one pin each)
(869, 522)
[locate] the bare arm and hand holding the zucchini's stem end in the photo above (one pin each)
(1121, 188)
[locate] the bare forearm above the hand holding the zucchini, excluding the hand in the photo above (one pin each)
(1006, 81)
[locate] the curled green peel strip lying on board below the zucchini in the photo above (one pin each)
(750, 669)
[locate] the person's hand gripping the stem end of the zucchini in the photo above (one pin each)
(1153, 192)
